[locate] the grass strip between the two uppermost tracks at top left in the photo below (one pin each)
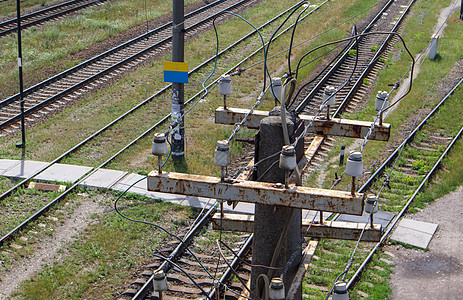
(50, 47)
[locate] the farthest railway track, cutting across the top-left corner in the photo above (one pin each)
(46, 14)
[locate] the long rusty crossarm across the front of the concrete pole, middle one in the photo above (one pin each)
(256, 192)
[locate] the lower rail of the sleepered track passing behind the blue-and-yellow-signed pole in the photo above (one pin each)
(104, 72)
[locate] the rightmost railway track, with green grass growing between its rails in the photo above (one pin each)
(422, 154)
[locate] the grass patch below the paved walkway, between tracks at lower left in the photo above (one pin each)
(107, 253)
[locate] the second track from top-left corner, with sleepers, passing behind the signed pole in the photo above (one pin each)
(54, 93)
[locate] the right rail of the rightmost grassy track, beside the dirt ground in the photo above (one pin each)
(404, 209)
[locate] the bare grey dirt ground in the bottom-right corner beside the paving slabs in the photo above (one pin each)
(437, 273)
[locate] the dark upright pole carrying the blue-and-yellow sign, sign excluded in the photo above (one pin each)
(178, 133)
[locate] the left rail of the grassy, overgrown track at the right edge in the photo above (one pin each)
(390, 159)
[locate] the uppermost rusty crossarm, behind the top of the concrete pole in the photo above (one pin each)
(321, 126)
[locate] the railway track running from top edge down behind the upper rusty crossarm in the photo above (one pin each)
(350, 73)
